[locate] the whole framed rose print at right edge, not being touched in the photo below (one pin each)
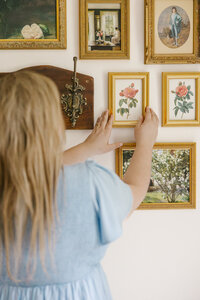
(181, 99)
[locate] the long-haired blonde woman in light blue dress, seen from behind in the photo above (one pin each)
(57, 220)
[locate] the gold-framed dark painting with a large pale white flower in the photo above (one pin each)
(35, 24)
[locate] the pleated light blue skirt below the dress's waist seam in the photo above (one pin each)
(93, 287)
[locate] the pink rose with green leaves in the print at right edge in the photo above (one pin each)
(182, 103)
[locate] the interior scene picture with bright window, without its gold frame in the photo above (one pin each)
(104, 26)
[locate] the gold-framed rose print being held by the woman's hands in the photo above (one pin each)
(128, 97)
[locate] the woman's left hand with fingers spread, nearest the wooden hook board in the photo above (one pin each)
(98, 141)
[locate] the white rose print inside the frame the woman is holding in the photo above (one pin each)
(128, 99)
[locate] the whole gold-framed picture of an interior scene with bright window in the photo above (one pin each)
(104, 29)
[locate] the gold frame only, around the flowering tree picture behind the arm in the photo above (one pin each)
(176, 146)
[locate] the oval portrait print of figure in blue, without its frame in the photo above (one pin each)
(173, 27)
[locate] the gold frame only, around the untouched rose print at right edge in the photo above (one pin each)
(165, 98)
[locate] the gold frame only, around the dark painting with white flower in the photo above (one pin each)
(59, 43)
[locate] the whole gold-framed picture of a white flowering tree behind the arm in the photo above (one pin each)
(173, 177)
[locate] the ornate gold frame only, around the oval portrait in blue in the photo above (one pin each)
(150, 57)
